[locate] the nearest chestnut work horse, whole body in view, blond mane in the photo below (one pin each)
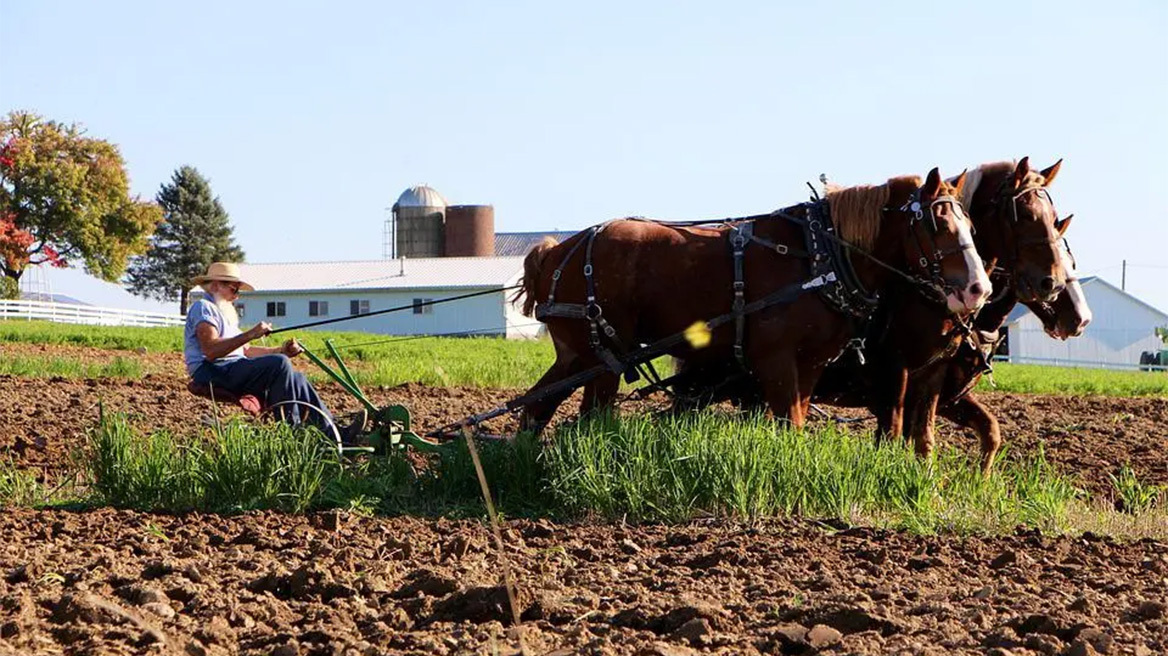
(782, 295)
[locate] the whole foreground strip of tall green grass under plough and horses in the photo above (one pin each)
(635, 469)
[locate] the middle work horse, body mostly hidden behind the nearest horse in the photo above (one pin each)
(917, 354)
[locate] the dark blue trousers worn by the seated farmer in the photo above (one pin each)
(273, 380)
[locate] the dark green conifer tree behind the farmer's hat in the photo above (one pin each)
(193, 234)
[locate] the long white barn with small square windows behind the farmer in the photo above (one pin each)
(294, 294)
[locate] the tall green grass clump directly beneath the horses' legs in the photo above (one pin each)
(676, 469)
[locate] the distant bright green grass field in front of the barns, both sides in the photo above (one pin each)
(484, 362)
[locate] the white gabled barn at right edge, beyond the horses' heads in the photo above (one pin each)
(1123, 327)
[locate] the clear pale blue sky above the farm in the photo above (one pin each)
(311, 118)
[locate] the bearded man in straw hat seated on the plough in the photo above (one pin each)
(218, 354)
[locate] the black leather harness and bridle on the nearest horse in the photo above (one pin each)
(832, 275)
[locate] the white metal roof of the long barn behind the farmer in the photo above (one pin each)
(385, 274)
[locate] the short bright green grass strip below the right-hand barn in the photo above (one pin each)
(1042, 380)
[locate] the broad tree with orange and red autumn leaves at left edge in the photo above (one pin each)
(65, 198)
